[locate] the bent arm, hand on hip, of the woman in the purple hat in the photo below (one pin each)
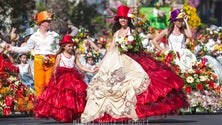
(156, 40)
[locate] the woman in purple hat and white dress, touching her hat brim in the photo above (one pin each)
(176, 35)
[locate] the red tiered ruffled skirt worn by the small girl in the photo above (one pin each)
(64, 97)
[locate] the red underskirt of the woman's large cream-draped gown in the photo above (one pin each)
(164, 94)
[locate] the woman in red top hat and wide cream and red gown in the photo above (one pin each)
(131, 86)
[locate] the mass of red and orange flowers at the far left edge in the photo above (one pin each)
(14, 95)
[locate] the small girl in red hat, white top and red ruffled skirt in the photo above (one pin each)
(64, 97)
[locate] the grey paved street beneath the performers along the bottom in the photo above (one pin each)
(197, 119)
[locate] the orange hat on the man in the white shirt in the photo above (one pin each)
(43, 16)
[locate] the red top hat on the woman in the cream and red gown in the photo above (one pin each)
(122, 11)
